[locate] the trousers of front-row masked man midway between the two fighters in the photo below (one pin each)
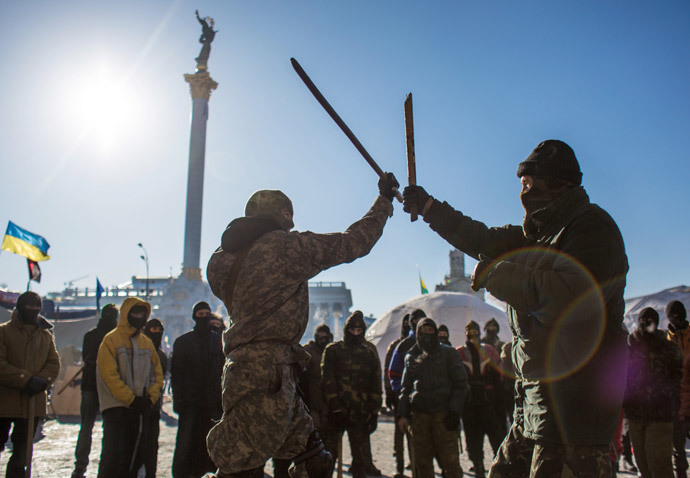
(430, 438)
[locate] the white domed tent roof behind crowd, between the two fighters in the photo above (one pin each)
(454, 309)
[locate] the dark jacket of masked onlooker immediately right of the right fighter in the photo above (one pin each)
(655, 368)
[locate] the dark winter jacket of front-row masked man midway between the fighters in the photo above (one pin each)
(432, 383)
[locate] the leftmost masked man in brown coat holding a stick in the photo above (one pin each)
(29, 364)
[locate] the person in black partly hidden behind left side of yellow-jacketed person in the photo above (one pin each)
(89, 392)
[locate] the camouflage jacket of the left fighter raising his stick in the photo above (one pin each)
(270, 306)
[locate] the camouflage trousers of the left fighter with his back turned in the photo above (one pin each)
(263, 417)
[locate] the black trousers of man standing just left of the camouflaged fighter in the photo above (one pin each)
(191, 455)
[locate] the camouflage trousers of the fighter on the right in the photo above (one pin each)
(521, 457)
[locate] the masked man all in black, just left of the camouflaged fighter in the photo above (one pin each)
(196, 368)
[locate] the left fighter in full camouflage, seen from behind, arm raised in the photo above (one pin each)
(261, 273)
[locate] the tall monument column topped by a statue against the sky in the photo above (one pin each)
(200, 85)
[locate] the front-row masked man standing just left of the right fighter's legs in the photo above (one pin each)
(484, 412)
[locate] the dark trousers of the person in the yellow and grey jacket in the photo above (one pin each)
(121, 428)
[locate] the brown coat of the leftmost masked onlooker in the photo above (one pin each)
(25, 351)
